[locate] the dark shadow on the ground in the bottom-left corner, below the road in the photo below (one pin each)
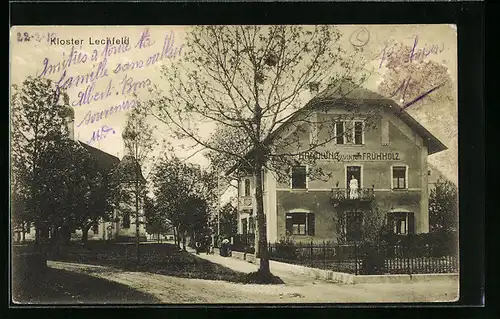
(55, 286)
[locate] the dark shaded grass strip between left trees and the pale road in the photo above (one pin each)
(164, 259)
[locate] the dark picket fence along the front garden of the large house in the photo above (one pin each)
(367, 259)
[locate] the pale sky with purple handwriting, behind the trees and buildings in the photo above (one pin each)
(124, 70)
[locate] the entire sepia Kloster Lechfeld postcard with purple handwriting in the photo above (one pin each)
(228, 164)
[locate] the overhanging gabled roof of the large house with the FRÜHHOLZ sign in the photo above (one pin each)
(348, 92)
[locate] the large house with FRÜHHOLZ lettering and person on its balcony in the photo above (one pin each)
(373, 164)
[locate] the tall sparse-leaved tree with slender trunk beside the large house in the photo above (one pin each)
(254, 84)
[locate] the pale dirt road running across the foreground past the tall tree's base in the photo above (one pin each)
(296, 289)
